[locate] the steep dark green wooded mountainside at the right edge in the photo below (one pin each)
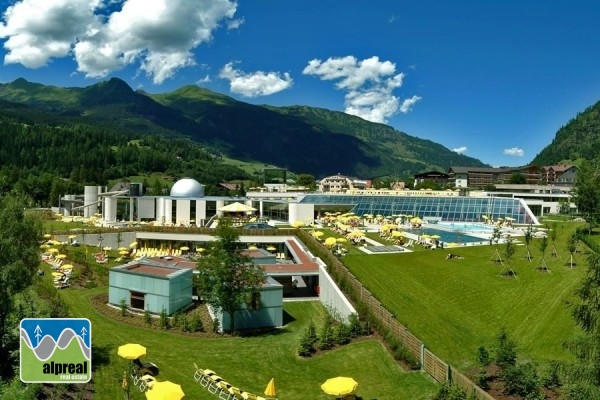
(579, 138)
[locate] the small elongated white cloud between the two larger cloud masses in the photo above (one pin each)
(255, 84)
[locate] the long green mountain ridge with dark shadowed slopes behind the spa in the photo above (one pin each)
(300, 138)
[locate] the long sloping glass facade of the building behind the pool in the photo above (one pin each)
(468, 209)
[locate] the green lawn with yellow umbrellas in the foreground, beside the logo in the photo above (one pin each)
(248, 363)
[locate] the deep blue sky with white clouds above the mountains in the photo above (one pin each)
(493, 80)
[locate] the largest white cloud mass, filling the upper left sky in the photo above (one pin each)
(159, 35)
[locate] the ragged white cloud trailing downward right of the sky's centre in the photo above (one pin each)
(369, 85)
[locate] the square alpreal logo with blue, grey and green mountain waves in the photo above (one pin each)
(56, 350)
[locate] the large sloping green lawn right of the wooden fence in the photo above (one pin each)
(454, 306)
